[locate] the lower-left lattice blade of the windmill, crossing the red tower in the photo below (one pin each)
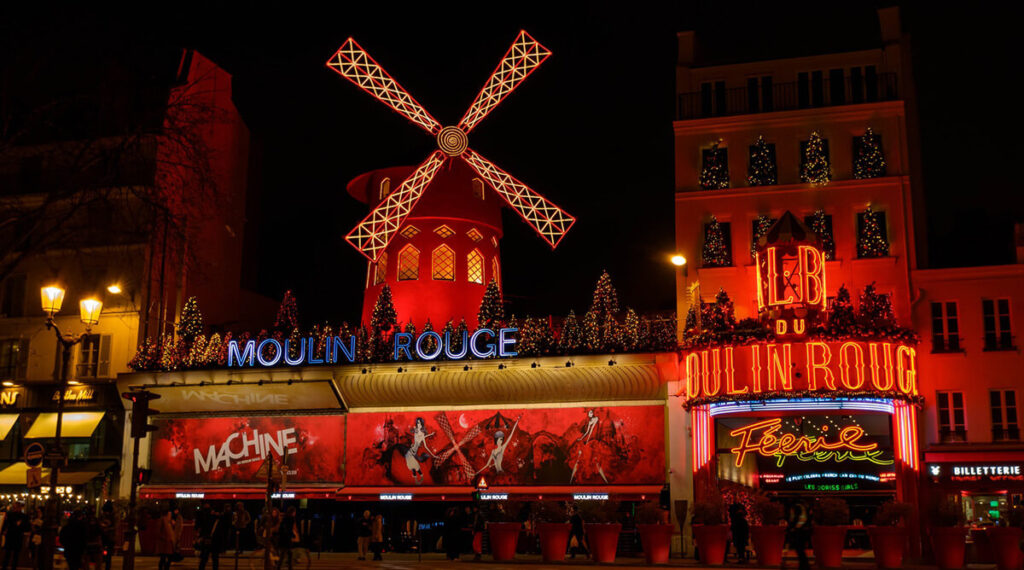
(373, 235)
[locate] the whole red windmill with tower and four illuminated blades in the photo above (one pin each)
(439, 253)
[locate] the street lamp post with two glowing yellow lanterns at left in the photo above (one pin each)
(53, 300)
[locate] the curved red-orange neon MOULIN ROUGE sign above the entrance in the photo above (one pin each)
(836, 367)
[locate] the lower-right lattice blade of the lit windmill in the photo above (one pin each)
(550, 222)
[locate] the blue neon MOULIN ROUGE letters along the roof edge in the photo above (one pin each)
(483, 343)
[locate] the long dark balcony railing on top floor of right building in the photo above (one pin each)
(785, 97)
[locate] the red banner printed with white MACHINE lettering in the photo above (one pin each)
(319, 442)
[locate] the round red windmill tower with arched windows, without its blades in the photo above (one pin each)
(451, 200)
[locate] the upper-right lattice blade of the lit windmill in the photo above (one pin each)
(524, 57)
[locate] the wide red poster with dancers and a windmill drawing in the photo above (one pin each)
(537, 447)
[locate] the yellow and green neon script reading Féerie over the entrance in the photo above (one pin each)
(846, 448)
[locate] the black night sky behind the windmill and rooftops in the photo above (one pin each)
(591, 129)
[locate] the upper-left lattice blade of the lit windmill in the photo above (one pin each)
(353, 63)
